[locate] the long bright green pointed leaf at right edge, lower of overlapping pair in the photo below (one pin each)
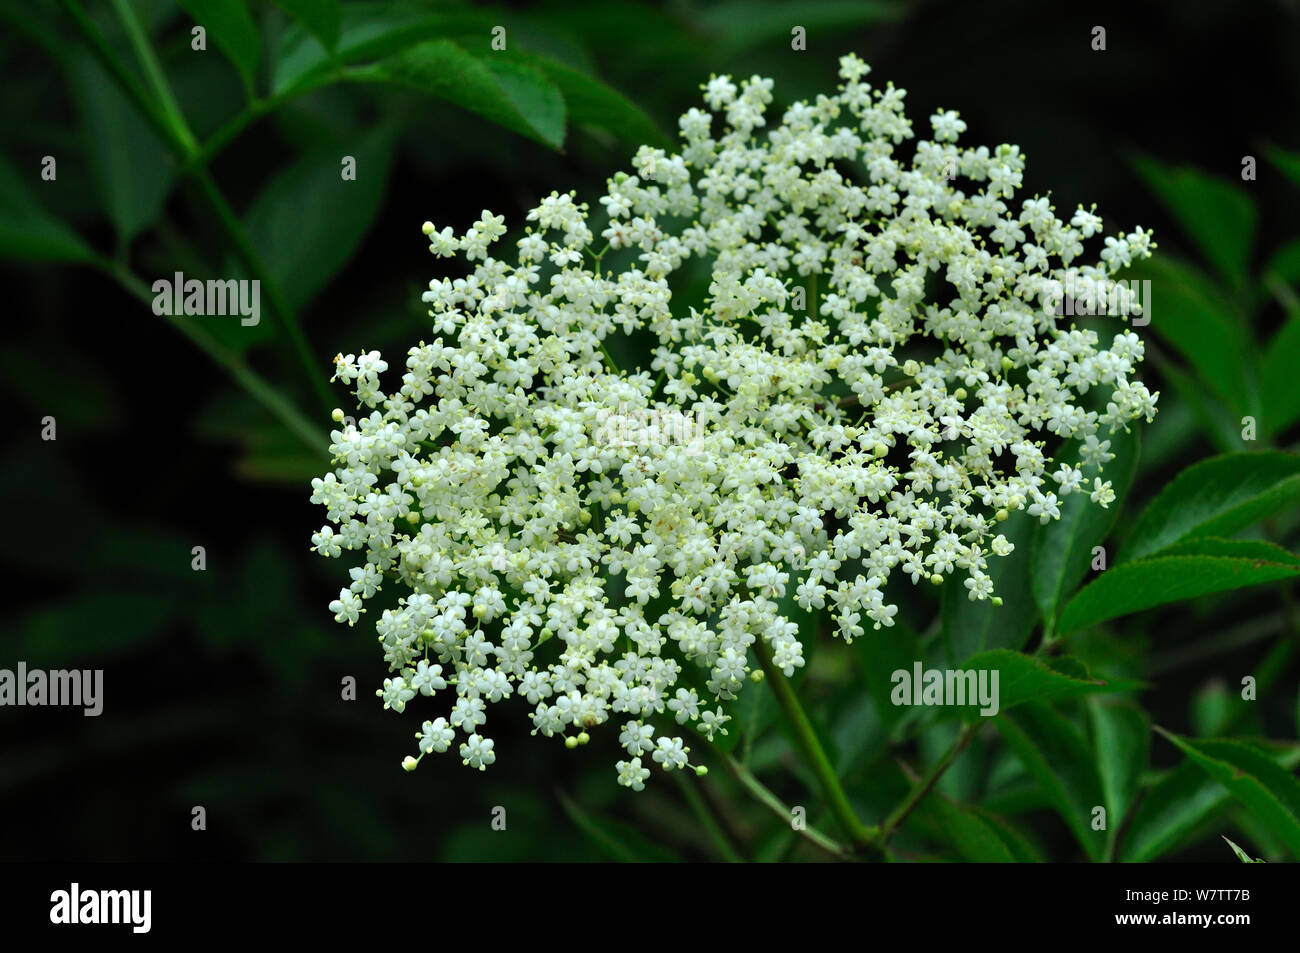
(1159, 581)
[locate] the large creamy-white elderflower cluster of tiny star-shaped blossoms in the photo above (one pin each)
(881, 388)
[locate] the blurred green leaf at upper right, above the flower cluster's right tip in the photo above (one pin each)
(1219, 215)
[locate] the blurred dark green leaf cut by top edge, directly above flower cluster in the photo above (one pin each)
(739, 25)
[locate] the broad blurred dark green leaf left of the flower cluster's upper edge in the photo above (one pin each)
(309, 222)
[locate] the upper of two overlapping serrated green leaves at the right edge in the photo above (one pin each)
(1216, 497)
